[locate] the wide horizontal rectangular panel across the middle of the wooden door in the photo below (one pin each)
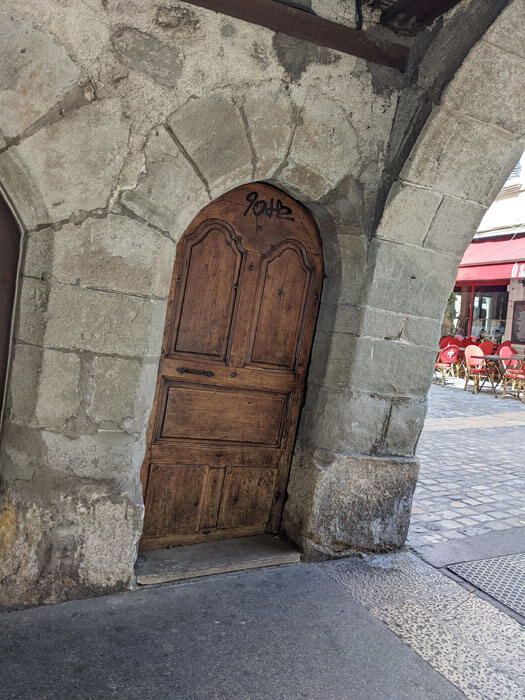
(222, 414)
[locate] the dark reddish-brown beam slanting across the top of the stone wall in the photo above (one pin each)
(309, 27)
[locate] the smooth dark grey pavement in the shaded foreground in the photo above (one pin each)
(290, 632)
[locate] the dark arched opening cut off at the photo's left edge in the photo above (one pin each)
(10, 249)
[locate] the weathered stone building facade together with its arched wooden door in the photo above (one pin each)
(130, 129)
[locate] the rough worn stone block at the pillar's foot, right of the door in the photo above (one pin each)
(339, 504)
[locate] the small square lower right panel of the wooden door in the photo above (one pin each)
(246, 497)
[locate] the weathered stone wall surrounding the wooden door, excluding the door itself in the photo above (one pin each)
(123, 141)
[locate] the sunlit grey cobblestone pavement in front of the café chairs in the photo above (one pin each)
(472, 477)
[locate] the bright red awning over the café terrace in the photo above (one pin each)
(493, 260)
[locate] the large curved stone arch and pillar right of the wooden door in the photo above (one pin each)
(468, 146)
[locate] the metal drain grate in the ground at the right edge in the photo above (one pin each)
(503, 578)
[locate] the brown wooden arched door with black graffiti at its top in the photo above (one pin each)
(239, 328)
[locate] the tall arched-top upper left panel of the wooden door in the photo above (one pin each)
(210, 286)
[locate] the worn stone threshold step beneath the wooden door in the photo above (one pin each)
(210, 558)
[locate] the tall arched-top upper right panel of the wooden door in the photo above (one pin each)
(285, 283)
